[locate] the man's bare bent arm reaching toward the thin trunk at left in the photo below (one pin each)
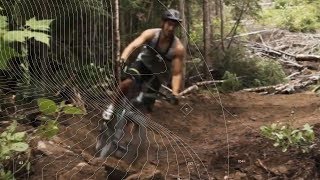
(146, 35)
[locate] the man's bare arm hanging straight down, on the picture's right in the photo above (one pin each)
(177, 69)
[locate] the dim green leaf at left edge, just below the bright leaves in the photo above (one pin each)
(6, 53)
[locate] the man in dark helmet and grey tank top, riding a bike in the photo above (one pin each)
(160, 59)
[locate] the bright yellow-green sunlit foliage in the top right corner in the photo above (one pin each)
(294, 15)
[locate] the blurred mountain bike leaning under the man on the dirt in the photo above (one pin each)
(113, 140)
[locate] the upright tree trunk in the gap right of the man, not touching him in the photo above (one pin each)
(206, 38)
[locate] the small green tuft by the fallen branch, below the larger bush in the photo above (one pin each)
(231, 82)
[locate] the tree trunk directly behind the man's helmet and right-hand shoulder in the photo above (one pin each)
(184, 37)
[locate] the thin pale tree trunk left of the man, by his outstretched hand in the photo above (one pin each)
(117, 37)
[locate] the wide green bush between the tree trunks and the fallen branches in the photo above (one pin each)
(252, 71)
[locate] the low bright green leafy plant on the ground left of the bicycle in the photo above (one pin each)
(51, 110)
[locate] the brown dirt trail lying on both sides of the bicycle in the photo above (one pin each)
(197, 145)
